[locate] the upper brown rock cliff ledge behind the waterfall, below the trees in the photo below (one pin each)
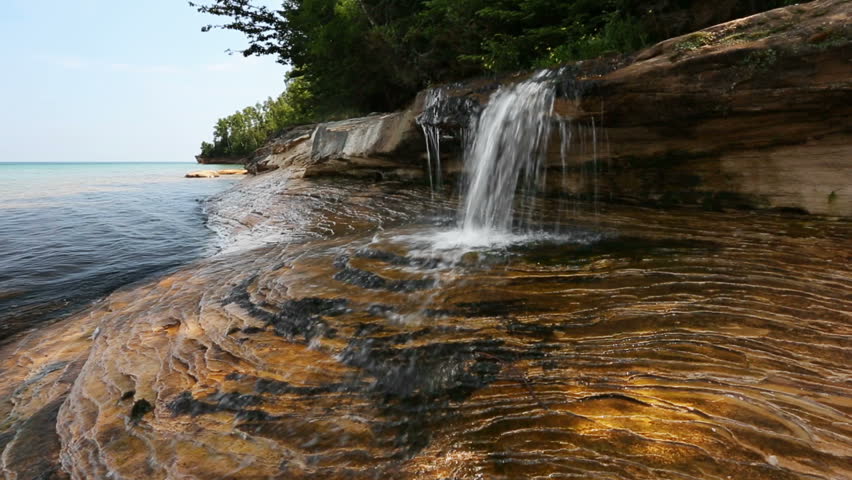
(753, 113)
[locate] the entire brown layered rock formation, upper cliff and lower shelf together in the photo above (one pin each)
(334, 340)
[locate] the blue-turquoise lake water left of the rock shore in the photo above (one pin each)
(72, 232)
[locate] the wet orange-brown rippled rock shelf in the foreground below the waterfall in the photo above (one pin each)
(633, 344)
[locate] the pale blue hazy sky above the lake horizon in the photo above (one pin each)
(119, 80)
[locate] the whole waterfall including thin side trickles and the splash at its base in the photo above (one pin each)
(505, 147)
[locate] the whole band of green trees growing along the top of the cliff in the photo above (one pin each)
(358, 56)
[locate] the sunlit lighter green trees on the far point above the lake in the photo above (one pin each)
(247, 130)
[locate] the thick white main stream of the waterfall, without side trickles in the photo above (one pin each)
(507, 152)
